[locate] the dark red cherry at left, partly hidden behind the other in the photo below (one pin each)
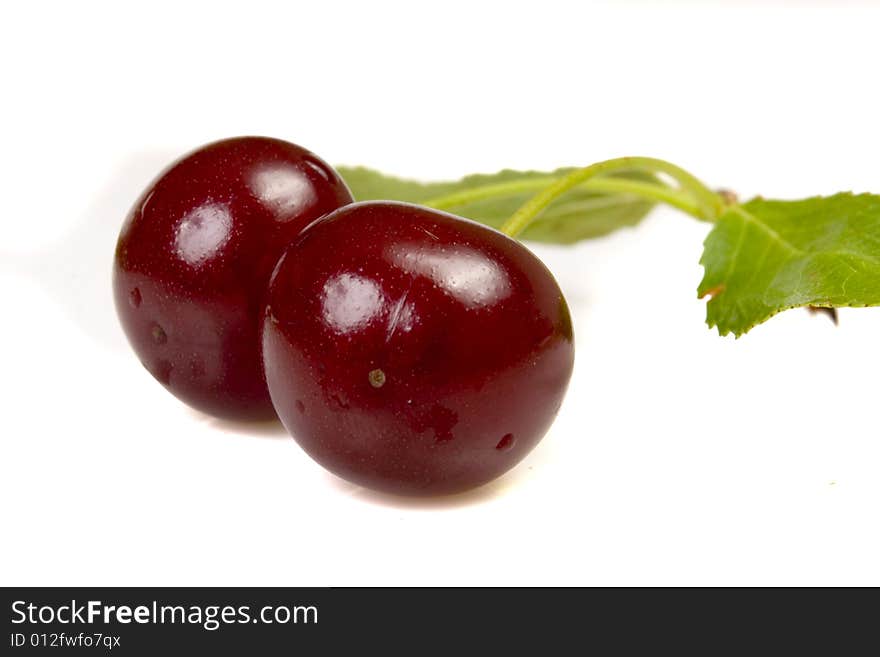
(194, 259)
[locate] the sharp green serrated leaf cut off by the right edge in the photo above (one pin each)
(764, 257)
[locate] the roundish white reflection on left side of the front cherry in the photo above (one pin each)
(350, 302)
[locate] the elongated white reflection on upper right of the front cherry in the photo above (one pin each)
(465, 273)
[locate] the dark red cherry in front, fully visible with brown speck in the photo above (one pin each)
(412, 351)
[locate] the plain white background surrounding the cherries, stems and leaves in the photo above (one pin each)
(678, 458)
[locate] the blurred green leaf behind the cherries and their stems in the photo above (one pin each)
(581, 214)
